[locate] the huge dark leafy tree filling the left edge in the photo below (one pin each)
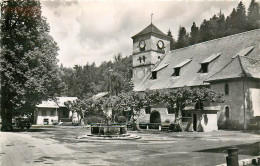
(29, 65)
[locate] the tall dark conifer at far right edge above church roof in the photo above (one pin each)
(253, 15)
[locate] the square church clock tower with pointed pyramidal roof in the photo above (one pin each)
(148, 47)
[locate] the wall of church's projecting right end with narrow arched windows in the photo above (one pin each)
(239, 102)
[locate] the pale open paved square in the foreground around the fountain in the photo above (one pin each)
(59, 146)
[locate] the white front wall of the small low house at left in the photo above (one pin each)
(40, 117)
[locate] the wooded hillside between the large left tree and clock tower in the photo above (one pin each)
(85, 81)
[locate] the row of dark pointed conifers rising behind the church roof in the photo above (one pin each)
(218, 26)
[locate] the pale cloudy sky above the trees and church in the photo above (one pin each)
(94, 31)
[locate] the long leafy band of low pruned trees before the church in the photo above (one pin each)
(133, 102)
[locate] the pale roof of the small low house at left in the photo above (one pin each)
(56, 104)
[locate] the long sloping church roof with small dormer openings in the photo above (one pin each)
(190, 74)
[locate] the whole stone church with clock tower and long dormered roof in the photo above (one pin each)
(230, 65)
